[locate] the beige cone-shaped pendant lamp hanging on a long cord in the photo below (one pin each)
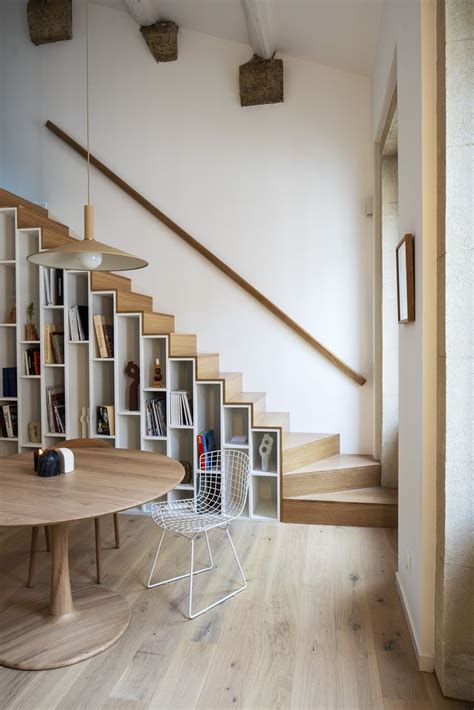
(87, 254)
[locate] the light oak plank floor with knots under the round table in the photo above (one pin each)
(320, 625)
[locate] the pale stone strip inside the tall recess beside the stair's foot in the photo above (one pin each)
(390, 239)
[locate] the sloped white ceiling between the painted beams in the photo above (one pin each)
(338, 33)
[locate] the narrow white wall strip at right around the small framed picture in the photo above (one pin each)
(405, 54)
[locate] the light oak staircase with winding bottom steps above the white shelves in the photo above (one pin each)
(319, 484)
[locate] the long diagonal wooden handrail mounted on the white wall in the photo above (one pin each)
(185, 236)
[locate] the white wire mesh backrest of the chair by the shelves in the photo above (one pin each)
(224, 481)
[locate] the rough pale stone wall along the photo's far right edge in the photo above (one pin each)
(454, 658)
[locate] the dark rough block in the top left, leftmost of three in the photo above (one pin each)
(49, 20)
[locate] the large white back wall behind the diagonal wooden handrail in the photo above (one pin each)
(278, 192)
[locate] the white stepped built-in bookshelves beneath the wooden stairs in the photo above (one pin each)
(91, 380)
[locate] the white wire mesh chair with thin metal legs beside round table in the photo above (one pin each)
(222, 492)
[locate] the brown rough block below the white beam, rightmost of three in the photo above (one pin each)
(261, 81)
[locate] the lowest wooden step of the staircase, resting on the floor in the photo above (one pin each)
(364, 507)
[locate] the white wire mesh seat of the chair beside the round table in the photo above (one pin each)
(187, 516)
